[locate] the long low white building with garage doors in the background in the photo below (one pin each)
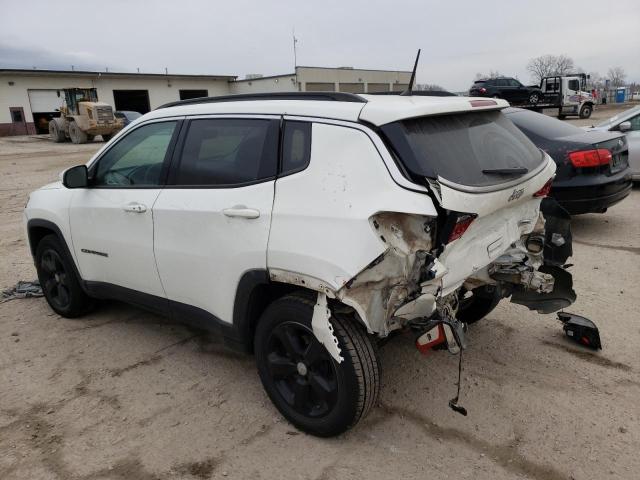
(30, 98)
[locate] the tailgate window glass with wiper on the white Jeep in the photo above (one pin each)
(459, 147)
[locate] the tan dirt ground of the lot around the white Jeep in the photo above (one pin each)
(124, 394)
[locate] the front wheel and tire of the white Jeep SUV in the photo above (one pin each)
(60, 284)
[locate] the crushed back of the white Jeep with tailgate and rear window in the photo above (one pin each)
(497, 234)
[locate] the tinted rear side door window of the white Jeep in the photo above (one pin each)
(228, 152)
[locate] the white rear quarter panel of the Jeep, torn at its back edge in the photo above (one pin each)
(321, 216)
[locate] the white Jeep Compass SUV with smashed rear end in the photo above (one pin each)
(305, 227)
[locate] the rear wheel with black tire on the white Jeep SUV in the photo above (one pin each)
(306, 384)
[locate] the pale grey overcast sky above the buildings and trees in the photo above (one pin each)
(458, 37)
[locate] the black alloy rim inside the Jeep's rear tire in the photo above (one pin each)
(302, 370)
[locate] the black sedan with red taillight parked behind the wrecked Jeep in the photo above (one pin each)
(592, 167)
